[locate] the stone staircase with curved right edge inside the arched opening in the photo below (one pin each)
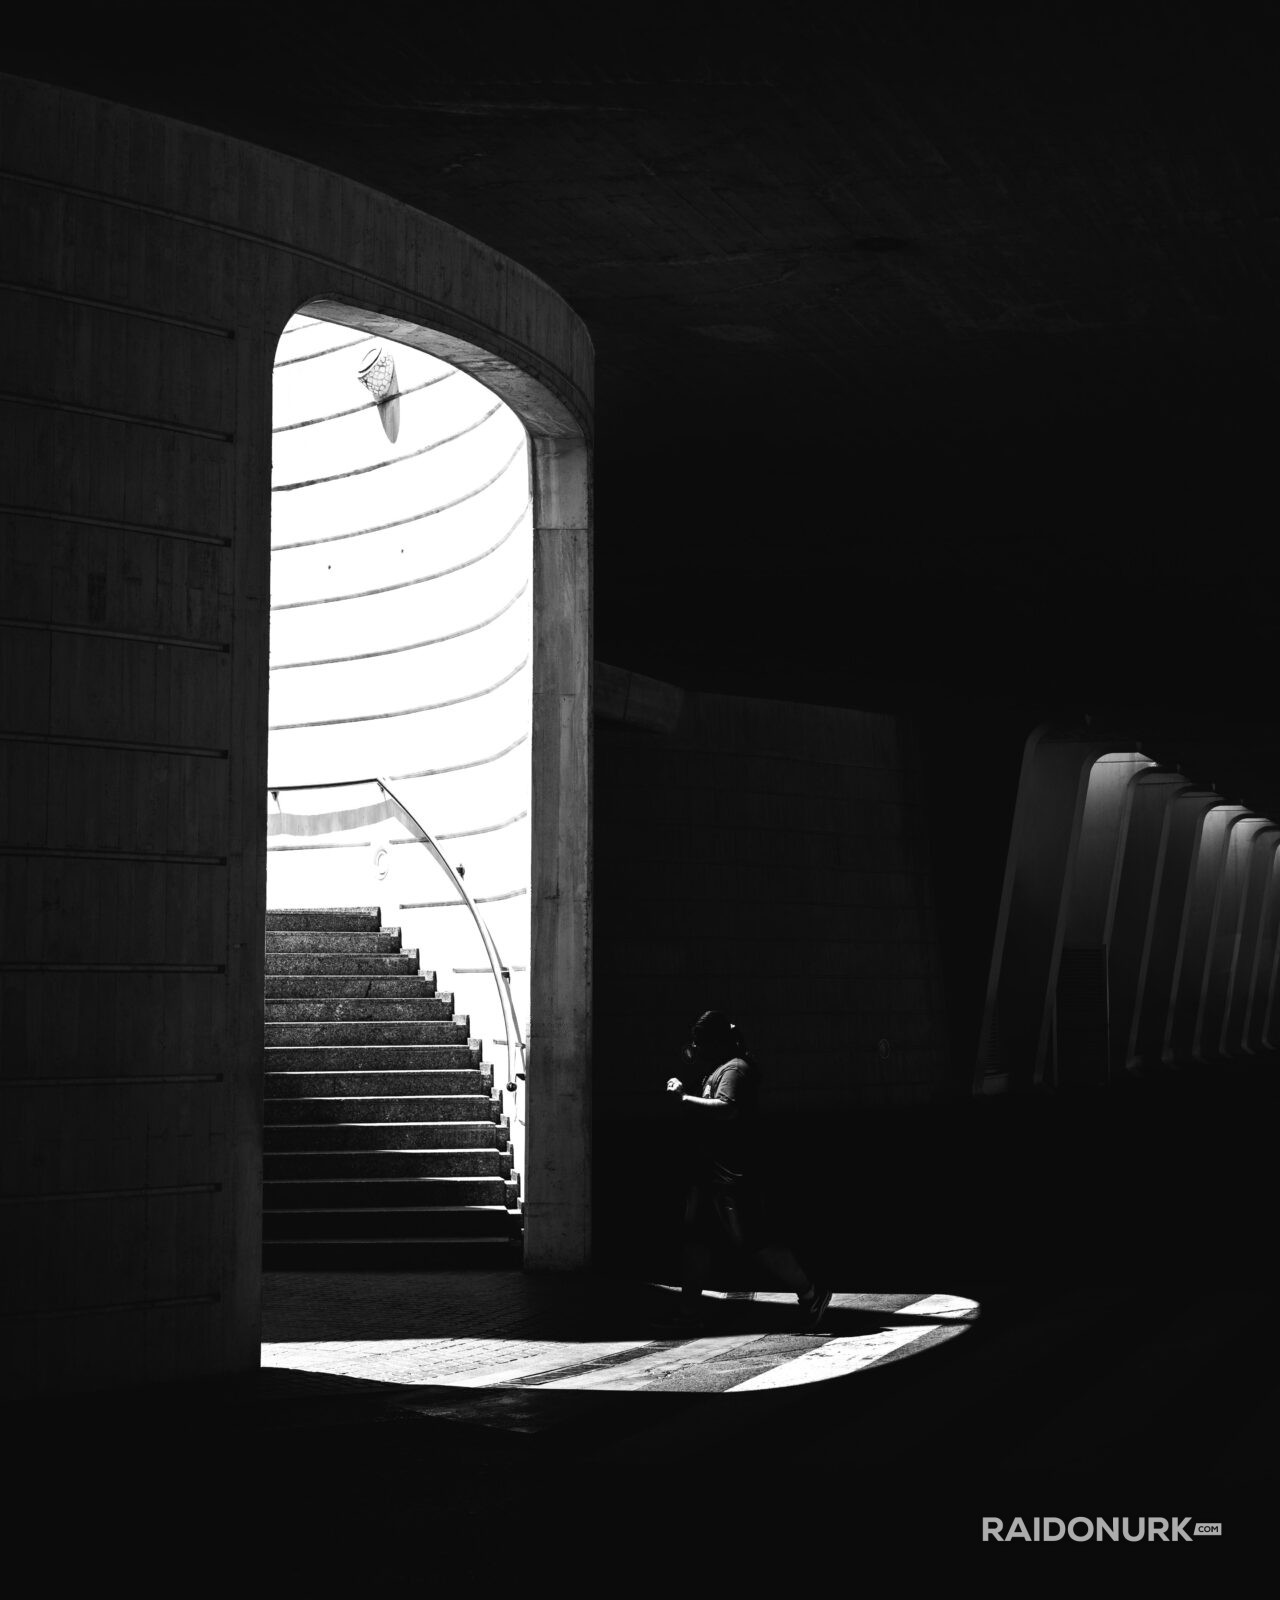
(386, 1145)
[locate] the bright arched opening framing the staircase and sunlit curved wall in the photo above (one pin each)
(399, 809)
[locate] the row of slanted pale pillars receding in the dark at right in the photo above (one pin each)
(1138, 924)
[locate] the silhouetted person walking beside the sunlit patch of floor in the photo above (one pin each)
(722, 1199)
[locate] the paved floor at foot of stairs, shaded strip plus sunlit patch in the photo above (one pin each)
(489, 1332)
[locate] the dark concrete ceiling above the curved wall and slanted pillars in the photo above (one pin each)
(969, 311)
